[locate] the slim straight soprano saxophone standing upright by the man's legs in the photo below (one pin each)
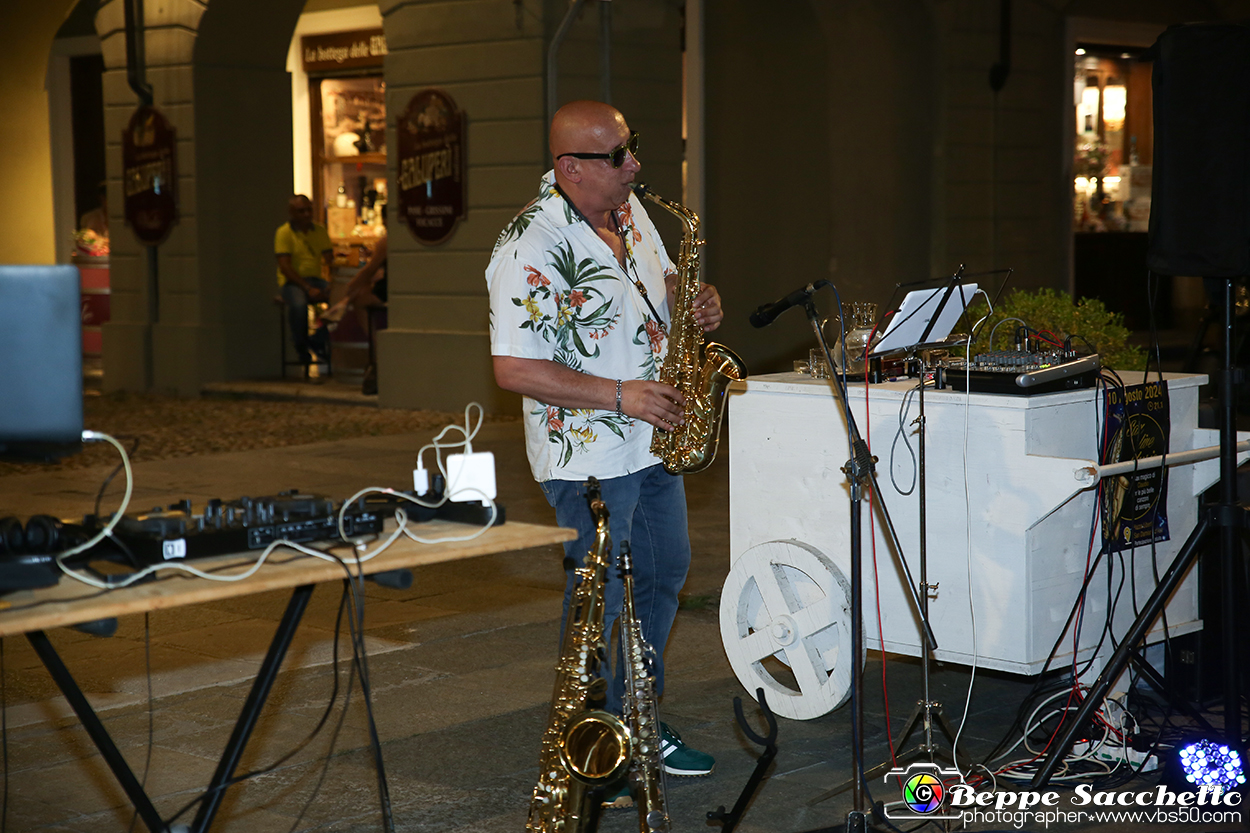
(642, 712)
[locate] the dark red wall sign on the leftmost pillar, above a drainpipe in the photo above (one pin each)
(149, 176)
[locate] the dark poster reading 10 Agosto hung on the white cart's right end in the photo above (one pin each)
(1136, 505)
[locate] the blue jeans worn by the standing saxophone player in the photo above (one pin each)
(649, 511)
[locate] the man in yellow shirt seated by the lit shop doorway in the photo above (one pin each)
(304, 260)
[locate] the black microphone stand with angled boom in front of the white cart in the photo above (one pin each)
(861, 471)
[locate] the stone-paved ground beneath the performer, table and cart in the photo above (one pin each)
(461, 667)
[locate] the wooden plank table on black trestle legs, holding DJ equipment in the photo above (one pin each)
(71, 603)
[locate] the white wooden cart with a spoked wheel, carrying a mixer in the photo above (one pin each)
(1008, 530)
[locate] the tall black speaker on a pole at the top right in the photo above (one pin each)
(1201, 198)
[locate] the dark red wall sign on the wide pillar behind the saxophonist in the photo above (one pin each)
(432, 166)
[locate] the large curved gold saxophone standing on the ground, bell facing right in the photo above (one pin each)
(583, 749)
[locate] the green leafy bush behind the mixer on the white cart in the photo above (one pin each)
(1047, 310)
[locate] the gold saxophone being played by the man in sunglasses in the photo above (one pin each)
(701, 372)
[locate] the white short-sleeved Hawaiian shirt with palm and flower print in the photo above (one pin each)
(558, 293)
